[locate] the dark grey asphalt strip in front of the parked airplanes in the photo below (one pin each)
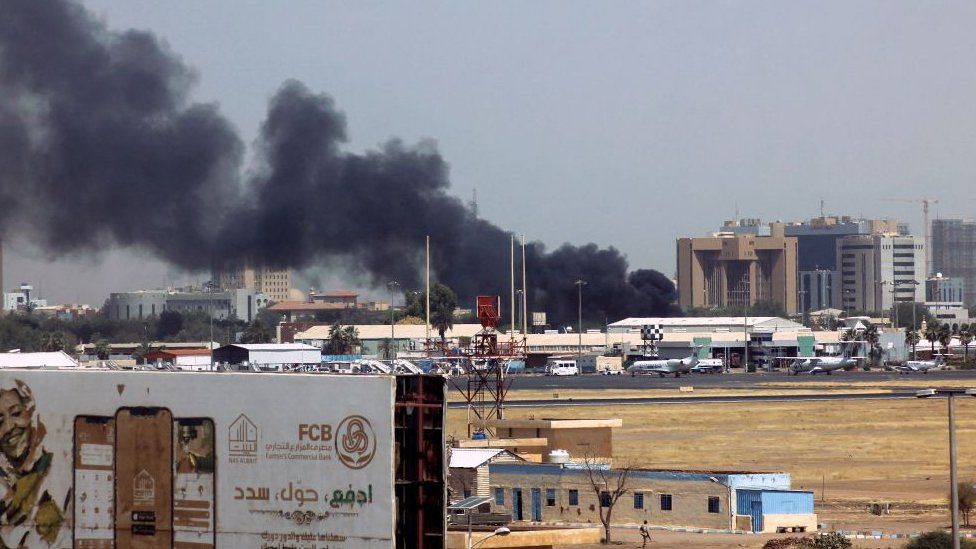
(732, 381)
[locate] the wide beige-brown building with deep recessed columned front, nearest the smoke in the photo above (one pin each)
(730, 270)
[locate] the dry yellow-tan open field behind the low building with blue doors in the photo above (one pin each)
(849, 453)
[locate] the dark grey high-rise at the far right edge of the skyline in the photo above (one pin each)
(954, 253)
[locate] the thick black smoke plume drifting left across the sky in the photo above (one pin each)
(100, 146)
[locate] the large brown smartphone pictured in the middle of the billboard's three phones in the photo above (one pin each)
(143, 478)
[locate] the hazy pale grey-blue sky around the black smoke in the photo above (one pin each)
(624, 124)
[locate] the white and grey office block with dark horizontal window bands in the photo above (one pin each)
(877, 270)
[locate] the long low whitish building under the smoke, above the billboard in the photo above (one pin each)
(242, 304)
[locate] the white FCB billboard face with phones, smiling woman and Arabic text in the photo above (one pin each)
(103, 459)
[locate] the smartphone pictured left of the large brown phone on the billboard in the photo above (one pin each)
(94, 463)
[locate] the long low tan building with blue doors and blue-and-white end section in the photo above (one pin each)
(722, 500)
